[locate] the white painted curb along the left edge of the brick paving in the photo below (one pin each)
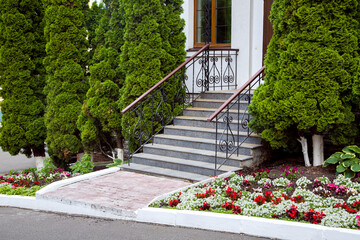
(53, 186)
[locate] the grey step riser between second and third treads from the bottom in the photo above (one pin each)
(189, 156)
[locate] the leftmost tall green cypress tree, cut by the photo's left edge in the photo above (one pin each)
(22, 49)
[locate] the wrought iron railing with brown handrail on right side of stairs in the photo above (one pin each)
(232, 133)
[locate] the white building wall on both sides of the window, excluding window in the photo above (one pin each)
(247, 34)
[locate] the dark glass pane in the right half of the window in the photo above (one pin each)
(223, 21)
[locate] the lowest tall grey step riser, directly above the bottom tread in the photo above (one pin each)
(175, 166)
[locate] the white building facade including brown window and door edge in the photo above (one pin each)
(241, 25)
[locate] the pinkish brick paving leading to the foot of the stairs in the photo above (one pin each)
(120, 190)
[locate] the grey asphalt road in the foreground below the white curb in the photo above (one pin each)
(27, 224)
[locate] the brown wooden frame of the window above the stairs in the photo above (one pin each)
(213, 27)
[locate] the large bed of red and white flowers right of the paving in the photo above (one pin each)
(329, 202)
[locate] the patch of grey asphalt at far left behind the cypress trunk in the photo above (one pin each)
(18, 162)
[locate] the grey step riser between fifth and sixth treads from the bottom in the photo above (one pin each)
(205, 124)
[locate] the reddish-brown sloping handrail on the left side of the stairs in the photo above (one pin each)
(139, 99)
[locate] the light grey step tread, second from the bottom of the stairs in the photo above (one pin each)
(181, 161)
